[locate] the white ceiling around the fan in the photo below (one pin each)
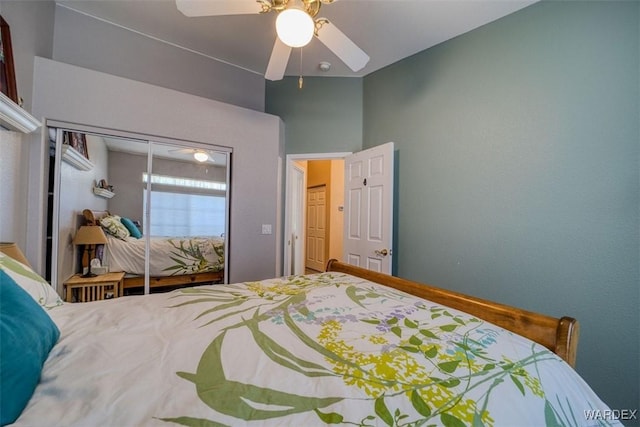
(387, 30)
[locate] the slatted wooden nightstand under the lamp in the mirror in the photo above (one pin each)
(85, 289)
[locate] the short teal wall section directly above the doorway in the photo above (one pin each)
(325, 116)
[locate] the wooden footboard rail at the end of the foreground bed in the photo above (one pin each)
(558, 335)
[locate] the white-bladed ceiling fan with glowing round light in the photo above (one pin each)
(296, 25)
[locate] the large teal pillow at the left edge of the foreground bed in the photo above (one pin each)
(27, 335)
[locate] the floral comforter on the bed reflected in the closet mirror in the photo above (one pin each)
(168, 256)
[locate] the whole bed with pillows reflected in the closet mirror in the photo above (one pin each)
(173, 261)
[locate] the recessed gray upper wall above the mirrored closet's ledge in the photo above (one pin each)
(89, 43)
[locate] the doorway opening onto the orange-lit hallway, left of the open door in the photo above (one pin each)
(305, 172)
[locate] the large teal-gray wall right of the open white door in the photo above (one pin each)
(518, 149)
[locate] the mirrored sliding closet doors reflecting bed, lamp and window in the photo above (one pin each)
(156, 213)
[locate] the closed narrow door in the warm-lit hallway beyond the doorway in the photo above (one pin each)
(316, 228)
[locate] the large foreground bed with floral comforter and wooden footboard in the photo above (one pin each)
(346, 346)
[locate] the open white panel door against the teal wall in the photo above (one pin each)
(368, 234)
